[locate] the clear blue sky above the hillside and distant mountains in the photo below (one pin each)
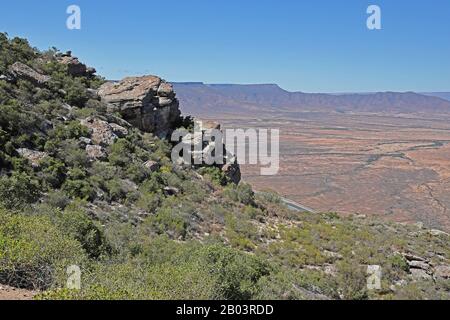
(301, 45)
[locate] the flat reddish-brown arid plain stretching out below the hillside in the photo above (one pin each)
(393, 166)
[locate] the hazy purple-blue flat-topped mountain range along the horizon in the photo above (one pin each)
(212, 99)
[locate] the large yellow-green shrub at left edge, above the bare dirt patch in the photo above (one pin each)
(34, 252)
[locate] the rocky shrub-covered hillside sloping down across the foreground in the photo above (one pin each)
(86, 179)
